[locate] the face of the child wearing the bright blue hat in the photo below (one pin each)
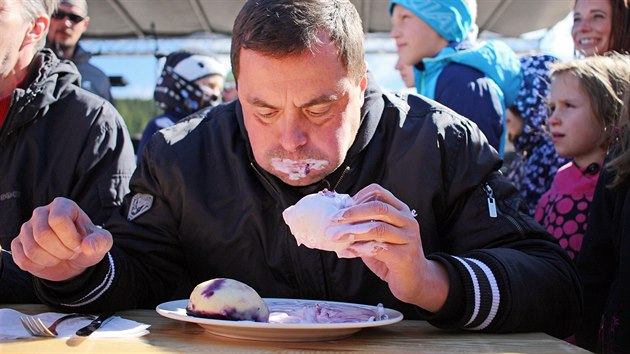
(415, 39)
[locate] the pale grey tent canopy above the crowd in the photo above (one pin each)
(112, 19)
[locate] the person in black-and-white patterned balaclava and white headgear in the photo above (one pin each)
(189, 81)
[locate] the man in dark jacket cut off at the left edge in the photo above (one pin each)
(56, 138)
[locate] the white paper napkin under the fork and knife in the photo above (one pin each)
(116, 327)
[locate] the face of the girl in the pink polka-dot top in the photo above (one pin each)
(575, 130)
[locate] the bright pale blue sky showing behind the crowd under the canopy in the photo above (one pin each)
(142, 70)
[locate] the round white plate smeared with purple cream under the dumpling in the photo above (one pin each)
(281, 332)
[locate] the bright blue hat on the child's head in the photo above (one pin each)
(449, 18)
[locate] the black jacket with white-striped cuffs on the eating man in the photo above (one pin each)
(201, 208)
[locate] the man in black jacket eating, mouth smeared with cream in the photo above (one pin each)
(208, 198)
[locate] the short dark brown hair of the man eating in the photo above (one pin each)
(279, 28)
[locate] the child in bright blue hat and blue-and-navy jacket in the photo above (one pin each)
(476, 79)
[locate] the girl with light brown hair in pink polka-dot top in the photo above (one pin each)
(584, 106)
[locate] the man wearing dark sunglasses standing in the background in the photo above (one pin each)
(67, 25)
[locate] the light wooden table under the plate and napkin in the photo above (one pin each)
(171, 336)
